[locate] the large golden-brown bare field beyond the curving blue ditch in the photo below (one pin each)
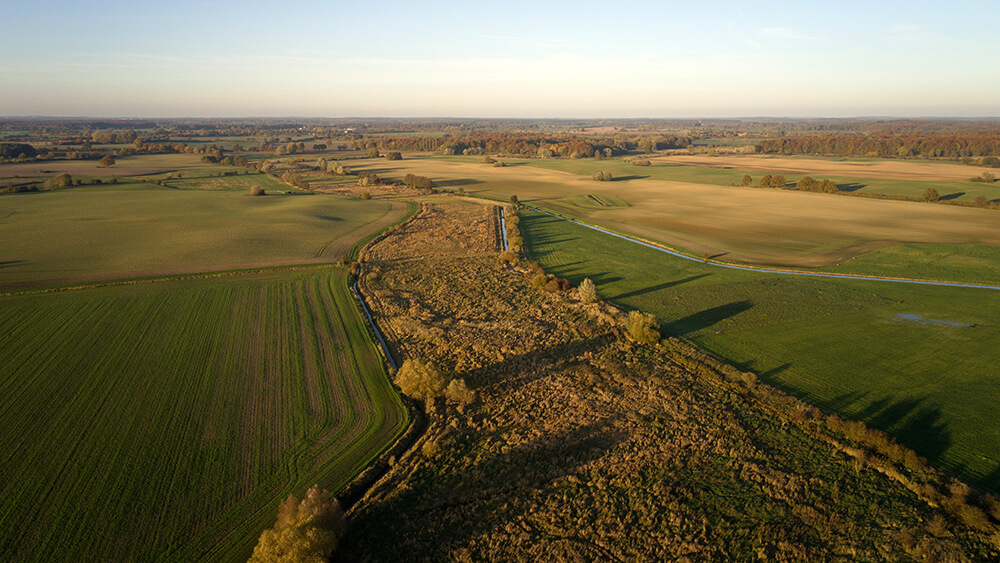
(740, 224)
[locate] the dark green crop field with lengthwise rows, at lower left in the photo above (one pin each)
(164, 421)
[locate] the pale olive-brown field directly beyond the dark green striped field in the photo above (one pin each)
(128, 230)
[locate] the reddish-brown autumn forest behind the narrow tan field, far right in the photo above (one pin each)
(924, 145)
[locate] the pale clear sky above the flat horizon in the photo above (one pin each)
(538, 59)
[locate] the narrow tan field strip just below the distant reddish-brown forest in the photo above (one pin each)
(805, 166)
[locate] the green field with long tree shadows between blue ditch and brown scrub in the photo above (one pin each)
(853, 347)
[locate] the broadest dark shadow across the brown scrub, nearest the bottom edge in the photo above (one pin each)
(483, 488)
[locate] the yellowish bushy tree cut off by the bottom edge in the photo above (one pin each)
(305, 531)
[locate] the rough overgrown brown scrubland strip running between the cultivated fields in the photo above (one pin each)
(580, 437)
